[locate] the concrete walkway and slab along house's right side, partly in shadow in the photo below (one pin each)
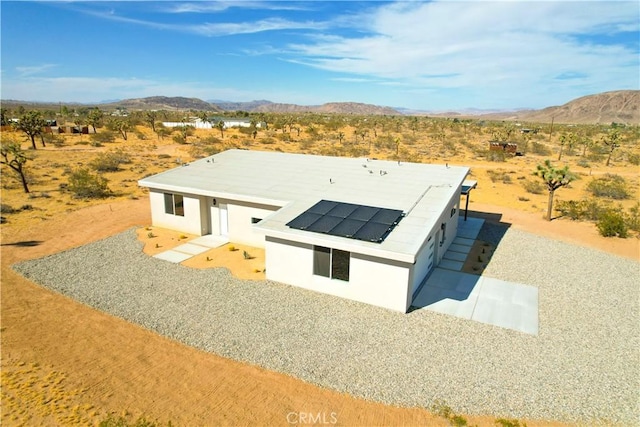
(480, 298)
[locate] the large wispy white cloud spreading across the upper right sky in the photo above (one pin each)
(501, 45)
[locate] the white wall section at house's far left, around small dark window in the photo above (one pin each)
(189, 223)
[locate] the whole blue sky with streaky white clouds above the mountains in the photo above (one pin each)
(439, 55)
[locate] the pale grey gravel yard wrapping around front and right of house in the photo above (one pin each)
(582, 367)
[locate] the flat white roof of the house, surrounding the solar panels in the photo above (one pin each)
(296, 182)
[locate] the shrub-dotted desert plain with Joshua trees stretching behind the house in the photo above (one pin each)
(79, 169)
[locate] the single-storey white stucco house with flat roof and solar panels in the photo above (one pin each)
(363, 229)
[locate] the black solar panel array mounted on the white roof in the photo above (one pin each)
(359, 222)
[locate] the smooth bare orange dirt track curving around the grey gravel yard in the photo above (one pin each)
(79, 364)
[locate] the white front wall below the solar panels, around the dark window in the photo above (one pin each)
(372, 280)
